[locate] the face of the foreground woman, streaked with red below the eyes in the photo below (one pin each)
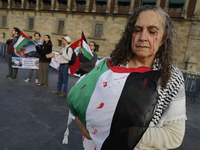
(148, 34)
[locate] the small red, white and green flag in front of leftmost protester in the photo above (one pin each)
(22, 40)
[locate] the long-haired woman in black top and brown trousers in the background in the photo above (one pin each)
(44, 62)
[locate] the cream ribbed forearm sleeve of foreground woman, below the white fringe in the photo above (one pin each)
(169, 136)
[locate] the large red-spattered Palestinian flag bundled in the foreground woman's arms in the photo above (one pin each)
(115, 104)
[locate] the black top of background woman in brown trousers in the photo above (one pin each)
(43, 50)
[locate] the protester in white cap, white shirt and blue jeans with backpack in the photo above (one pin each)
(63, 66)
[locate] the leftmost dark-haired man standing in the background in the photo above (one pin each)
(12, 72)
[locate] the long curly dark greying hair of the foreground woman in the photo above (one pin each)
(123, 52)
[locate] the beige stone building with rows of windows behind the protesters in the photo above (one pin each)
(102, 21)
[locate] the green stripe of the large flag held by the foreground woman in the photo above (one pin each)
(85, 87)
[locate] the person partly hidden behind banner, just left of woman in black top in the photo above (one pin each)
(37, 40)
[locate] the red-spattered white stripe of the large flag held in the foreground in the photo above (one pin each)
(98, 121)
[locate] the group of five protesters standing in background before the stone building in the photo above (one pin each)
(42, 49)
